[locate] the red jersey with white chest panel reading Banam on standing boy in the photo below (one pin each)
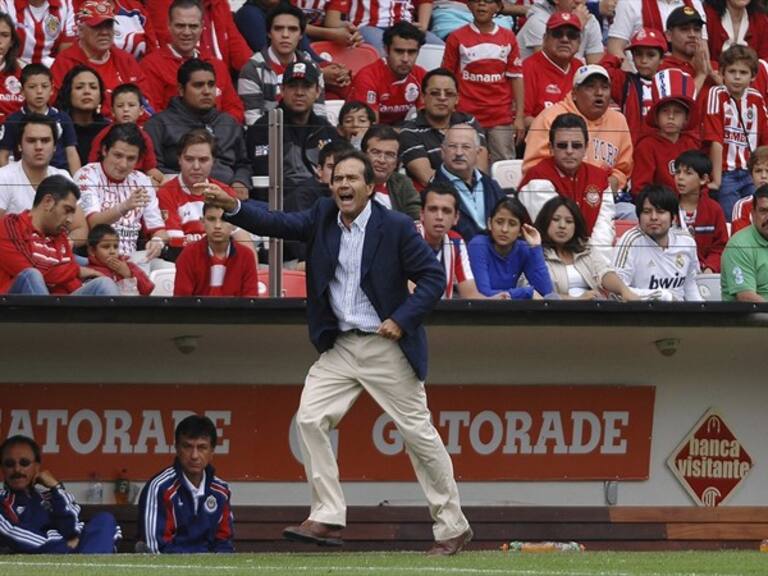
(483, 63)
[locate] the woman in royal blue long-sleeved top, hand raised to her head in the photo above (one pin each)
(500, 257)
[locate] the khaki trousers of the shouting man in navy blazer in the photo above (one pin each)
(378, 366)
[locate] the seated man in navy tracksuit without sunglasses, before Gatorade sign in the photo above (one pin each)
(186, 508)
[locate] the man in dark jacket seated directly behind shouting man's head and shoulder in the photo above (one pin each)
(390, 188)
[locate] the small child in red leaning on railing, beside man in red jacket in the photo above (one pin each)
(103, 257)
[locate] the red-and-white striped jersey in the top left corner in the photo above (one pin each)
(42, 29)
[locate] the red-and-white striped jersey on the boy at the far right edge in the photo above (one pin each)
(739, 126)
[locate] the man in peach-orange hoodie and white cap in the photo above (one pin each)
(610, 144)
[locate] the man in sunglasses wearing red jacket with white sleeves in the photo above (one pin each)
(566, 174)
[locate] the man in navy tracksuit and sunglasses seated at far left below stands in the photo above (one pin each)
(45, 520)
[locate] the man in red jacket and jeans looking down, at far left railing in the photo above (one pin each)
(35, 252)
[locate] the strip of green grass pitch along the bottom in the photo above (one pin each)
(397, 564)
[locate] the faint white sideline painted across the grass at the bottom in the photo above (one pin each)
(385, 569)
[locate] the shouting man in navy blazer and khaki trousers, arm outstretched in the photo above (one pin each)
(368, 328)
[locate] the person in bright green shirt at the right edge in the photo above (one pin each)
(744, 276)
